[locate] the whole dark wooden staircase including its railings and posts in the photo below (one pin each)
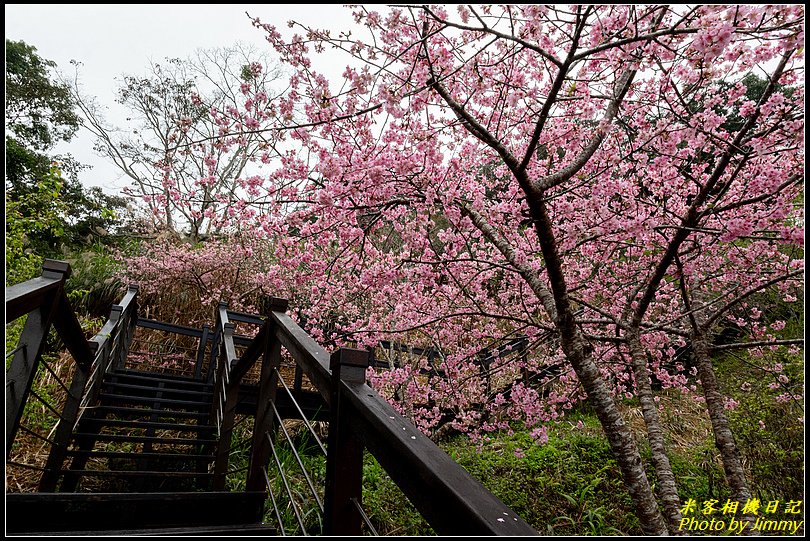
(116, 451)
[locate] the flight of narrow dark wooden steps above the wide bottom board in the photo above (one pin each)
(149, 432)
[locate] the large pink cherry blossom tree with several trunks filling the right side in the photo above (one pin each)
(598, 179)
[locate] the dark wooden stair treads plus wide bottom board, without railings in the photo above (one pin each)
(140, 463)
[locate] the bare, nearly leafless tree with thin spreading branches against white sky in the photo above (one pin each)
(171, 144)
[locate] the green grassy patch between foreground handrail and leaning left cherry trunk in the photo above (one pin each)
(569, 486)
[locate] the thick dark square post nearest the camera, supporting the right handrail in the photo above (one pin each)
(344, 460)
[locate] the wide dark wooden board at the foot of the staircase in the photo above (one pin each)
(67, 512)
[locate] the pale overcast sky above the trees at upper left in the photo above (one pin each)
(111, 40)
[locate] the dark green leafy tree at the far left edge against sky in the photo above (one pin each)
(40, 112)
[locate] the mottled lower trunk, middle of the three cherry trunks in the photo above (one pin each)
(667, 488)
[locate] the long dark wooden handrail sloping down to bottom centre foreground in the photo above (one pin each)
(451, 500)
